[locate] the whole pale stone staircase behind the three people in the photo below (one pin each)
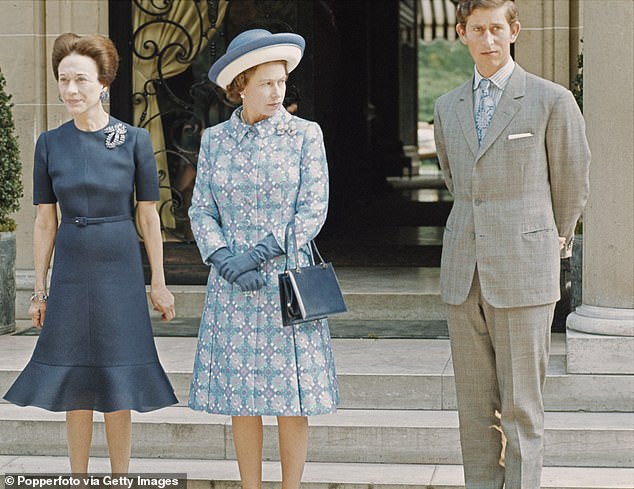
(397, 426)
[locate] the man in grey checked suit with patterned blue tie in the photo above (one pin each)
(514, 154)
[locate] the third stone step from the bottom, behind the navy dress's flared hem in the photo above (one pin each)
(385, 374)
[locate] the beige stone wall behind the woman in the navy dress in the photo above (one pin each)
(27, 31)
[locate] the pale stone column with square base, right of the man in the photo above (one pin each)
(600, 336)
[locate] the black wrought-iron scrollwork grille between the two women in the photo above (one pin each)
(189, 102)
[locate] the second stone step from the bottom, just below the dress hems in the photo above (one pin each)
(355, 436)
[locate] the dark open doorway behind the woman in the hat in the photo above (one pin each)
(358, 80)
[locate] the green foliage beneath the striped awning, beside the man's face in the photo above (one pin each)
(442, 66)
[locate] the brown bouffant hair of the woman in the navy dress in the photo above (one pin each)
(95, 46)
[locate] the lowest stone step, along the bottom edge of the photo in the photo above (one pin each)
(223, 474)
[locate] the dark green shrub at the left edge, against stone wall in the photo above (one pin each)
(10, 163)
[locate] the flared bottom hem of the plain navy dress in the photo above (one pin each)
(141, 388)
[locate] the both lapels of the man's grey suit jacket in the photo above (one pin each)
(507, 108)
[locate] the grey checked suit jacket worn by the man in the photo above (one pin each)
(513, 197)
